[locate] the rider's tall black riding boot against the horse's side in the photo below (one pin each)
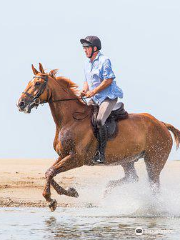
(102, 139)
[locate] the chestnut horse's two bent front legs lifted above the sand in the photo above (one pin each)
(61, 165)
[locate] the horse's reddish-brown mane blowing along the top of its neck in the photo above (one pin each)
(70, 85)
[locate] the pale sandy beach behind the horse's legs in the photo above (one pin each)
(22, 181)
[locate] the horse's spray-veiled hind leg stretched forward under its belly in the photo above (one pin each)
(130, 176)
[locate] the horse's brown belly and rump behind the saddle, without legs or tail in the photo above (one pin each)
(138, 136)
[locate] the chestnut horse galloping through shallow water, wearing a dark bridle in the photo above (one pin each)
(139, 136)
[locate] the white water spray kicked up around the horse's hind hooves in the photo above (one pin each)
(137, 200)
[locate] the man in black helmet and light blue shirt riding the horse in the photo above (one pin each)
(100, 86)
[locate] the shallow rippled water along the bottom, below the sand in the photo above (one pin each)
(83, 223)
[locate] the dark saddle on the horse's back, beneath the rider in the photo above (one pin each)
(118, 113)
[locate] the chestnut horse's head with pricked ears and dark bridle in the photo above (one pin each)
(36, 92)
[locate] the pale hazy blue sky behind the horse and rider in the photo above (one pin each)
(141, 37)
